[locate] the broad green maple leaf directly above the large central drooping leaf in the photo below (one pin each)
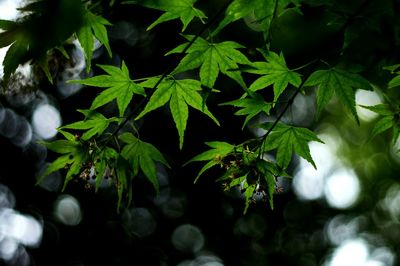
(212, 58)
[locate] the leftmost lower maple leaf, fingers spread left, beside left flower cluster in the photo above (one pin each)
(74, 154)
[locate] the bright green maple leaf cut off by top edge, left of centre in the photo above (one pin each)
(182, 9)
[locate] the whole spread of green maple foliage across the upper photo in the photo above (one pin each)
(101, 152)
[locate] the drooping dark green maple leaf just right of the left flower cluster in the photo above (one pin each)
(142, 156)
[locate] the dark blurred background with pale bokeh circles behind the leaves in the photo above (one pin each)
(345, 213)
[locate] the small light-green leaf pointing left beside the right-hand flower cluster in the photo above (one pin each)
(214, 156)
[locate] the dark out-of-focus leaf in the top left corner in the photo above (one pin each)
(43, 26)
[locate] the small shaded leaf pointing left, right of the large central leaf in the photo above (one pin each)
(252, 106)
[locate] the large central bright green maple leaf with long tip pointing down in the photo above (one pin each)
(180, 94)
